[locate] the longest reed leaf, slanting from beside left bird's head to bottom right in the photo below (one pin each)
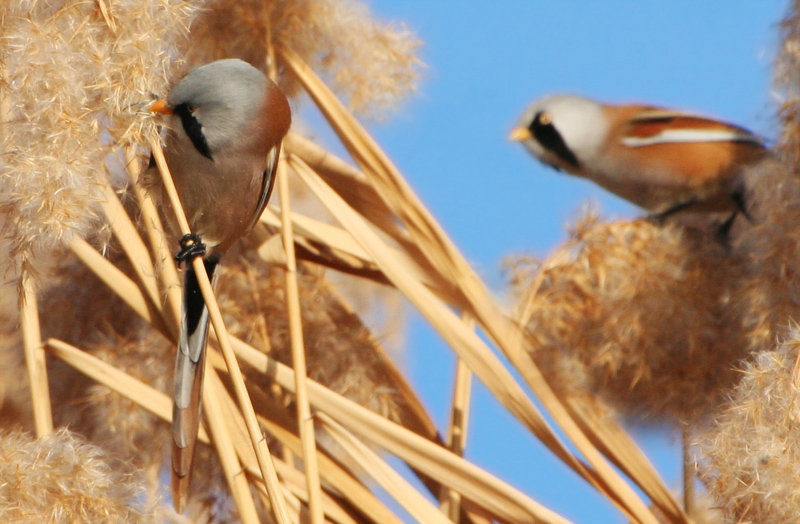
(444, 256)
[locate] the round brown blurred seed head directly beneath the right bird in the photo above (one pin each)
(637, 314)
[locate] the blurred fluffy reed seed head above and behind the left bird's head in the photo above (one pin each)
(371, 64)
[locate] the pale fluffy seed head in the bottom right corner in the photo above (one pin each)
(750, 456)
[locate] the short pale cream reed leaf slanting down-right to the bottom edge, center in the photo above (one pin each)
(391, 481)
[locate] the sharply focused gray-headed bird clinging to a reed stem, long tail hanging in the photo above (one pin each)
(225, 122)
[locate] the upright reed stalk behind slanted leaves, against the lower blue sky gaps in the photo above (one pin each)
(450, 500)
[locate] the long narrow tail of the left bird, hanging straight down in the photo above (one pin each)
(189, 371)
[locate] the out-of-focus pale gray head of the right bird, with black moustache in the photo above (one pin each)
(562, 131)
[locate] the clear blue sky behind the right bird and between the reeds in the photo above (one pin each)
(485, 62)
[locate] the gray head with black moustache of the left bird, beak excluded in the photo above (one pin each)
(214, 100)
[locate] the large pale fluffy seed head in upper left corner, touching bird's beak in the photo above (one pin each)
(70, 86)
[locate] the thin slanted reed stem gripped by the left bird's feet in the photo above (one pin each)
(279, 510)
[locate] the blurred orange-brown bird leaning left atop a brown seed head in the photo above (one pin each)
(660, 159)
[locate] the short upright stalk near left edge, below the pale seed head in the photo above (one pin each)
(34, 355)
